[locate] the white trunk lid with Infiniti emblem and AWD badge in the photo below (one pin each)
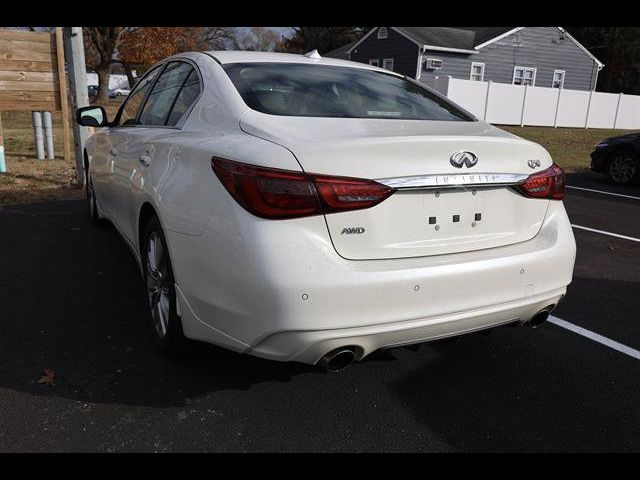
(438, 208)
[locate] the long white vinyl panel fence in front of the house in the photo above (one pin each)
(505, 104)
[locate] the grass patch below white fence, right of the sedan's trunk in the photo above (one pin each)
(569, 147)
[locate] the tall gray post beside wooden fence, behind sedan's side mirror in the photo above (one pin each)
(77, 70)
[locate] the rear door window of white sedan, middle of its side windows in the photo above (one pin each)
(161, 99)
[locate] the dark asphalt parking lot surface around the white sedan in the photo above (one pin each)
(72, 301)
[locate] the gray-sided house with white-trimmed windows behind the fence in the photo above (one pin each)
(537, 56)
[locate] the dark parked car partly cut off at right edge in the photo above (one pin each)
(619, 159)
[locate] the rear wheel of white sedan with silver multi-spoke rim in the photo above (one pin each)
(164, 322)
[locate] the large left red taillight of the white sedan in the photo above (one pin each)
(278, 194)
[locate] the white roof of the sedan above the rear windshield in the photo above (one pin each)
(232, 56)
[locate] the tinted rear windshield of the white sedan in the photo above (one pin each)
(303, 90)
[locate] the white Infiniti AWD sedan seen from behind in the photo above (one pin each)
(315, 210)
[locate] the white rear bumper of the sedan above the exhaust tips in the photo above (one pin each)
(286, 295)
